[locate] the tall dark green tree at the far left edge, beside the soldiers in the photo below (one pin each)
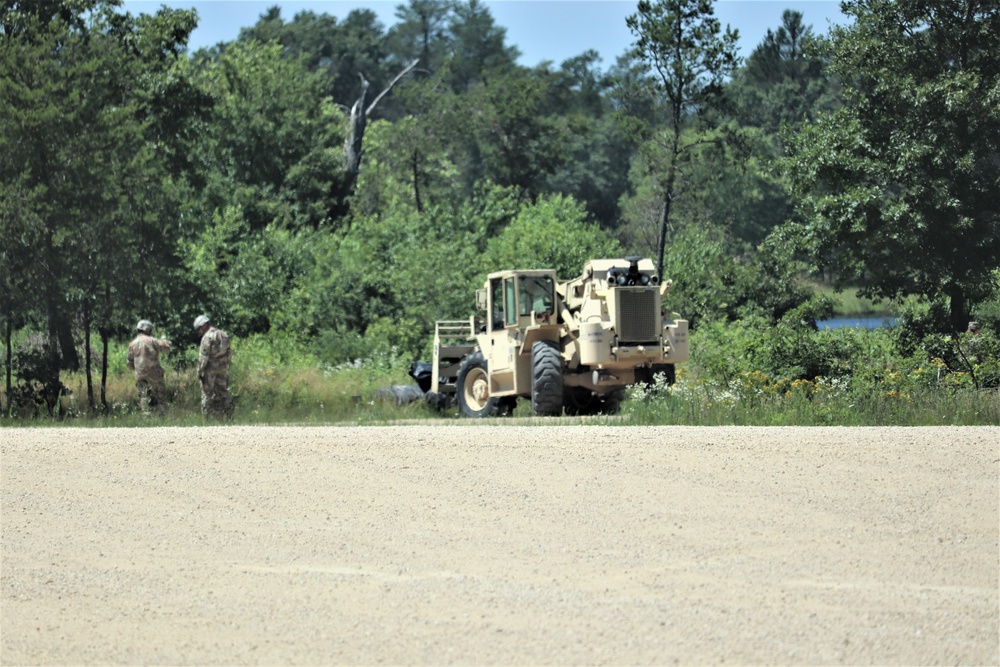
(82, 94)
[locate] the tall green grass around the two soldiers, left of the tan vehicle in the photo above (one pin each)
(272, 381)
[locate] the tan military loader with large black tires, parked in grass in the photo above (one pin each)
(572, 345)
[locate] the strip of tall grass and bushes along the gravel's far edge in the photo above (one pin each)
(739, 375)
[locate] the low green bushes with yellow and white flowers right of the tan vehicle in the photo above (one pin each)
(749, 372)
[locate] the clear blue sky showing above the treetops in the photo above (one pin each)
(541, 29)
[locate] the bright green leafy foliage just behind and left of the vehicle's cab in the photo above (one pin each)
(400, 269)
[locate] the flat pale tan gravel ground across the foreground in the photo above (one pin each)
(500, 544)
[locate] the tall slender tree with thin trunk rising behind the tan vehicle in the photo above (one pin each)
(681, 41)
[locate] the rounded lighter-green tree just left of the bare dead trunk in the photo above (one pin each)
(271, 127)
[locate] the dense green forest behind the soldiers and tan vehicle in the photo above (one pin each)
(326, 189)
